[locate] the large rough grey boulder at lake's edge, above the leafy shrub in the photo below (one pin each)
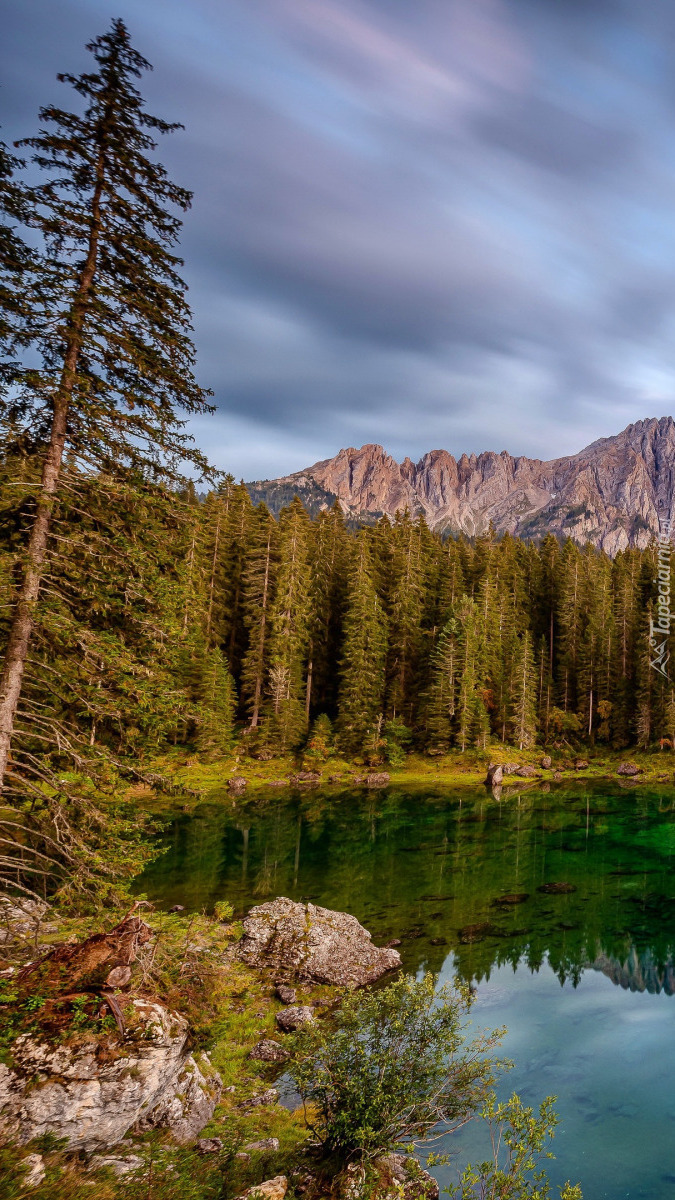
(314, 945)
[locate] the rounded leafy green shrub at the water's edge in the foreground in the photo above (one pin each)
(397, 1066)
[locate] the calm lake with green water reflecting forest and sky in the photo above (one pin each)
(584, 980)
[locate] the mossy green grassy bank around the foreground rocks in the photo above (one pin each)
(192, 969)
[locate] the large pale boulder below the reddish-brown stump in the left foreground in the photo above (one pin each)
(91, 1095)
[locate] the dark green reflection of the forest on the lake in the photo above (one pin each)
(578, 877)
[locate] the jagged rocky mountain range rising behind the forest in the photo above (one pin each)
(612, 494)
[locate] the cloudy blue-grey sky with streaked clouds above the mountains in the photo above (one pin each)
(423, 224)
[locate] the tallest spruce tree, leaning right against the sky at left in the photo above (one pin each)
(110, 323)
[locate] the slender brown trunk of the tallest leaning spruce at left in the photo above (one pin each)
(25, 615)
